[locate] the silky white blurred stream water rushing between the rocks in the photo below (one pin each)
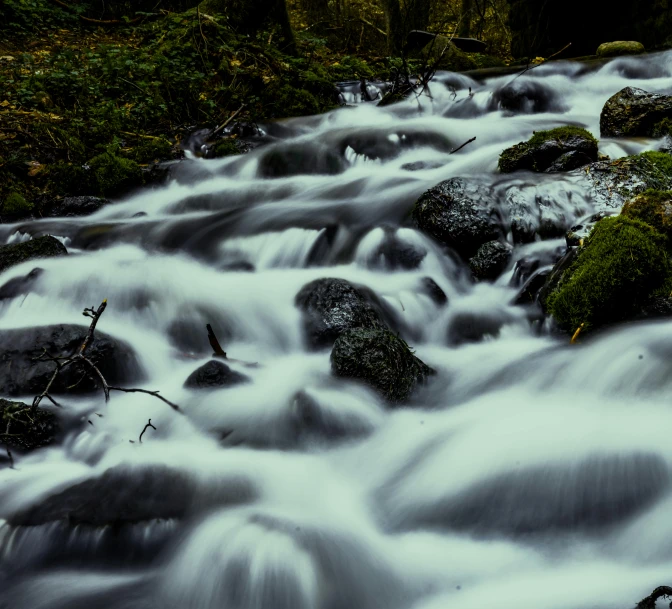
(528, 473)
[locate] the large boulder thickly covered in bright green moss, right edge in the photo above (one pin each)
(622, 263)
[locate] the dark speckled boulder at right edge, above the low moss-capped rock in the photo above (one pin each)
(634, 112)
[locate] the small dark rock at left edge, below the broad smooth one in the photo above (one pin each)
(28, 428)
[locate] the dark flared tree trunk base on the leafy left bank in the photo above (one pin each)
(252, 16)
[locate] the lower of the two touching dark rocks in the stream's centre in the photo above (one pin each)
(381, 360)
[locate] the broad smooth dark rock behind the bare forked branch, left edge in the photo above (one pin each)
(21, 374)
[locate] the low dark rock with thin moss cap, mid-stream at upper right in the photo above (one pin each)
(573, 146)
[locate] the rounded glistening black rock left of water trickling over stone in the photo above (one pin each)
(460, 214)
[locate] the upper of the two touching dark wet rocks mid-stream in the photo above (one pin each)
(331, 307)
